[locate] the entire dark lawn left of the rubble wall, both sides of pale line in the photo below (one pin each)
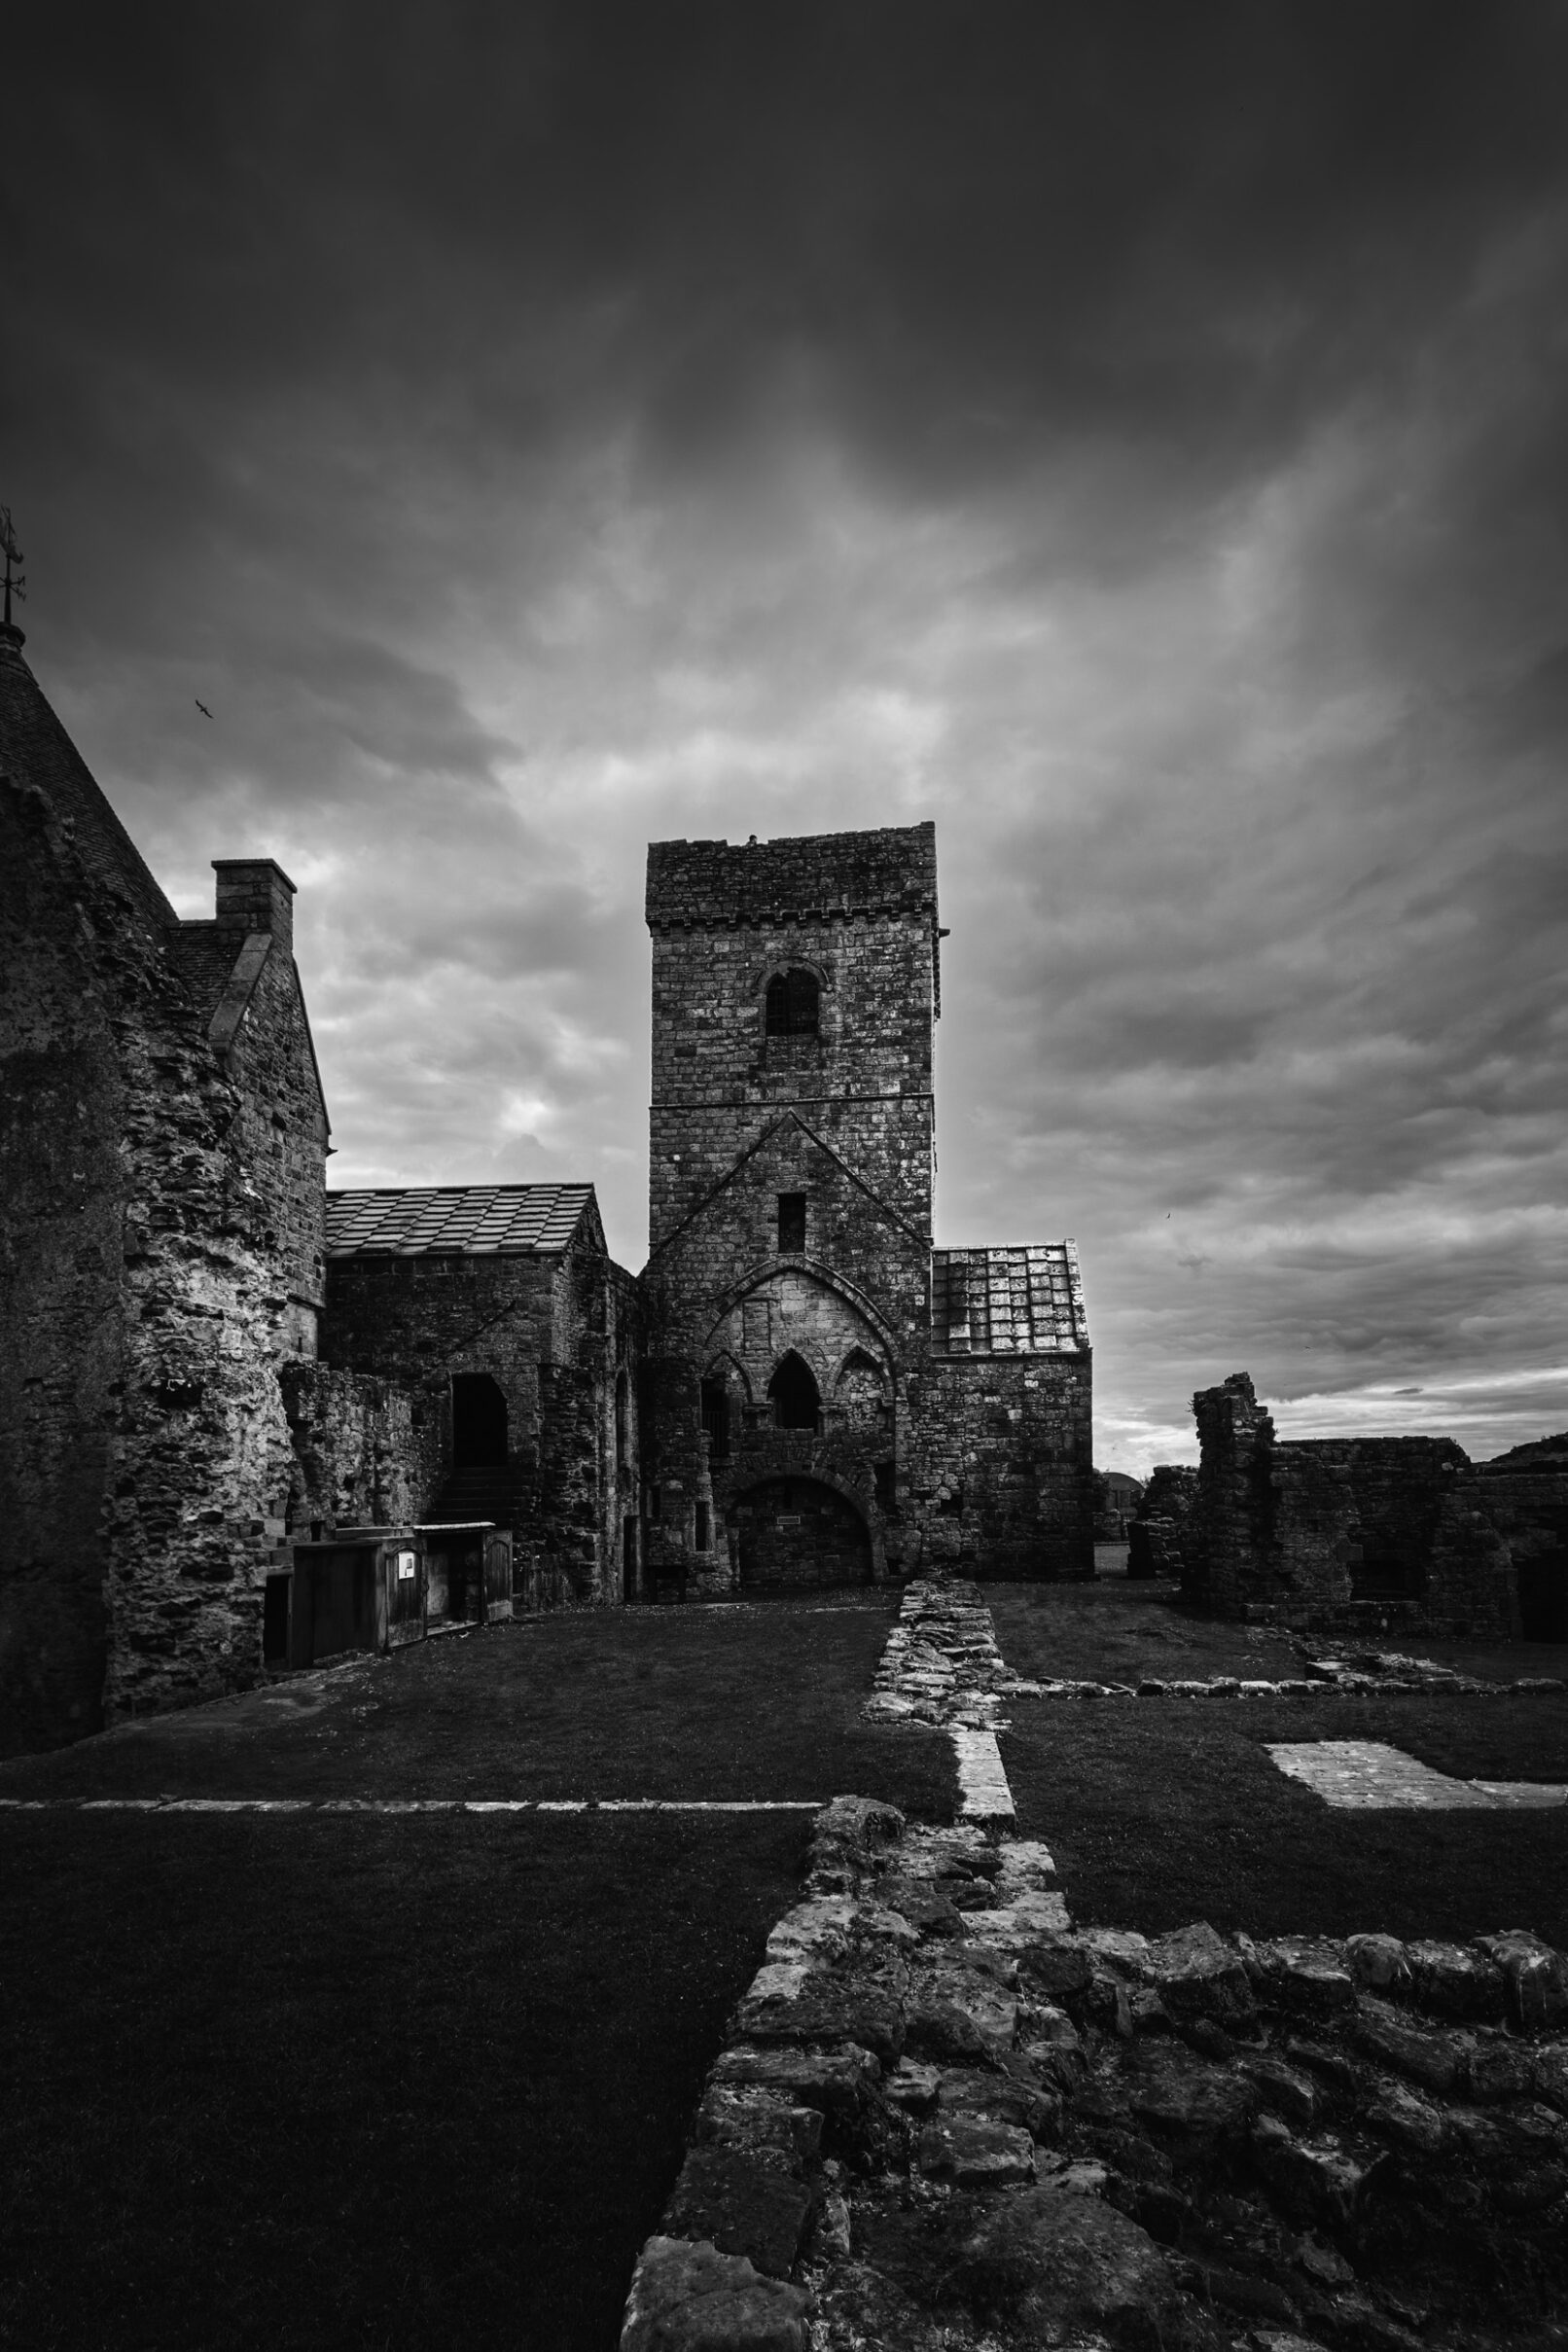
(396, 2083)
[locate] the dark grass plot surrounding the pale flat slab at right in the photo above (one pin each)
(1162, 1812)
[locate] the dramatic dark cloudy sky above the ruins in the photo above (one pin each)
(1134, 439)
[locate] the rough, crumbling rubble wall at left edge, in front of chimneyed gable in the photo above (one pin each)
(149, 1459)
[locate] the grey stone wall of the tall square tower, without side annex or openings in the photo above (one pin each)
(742, 1118)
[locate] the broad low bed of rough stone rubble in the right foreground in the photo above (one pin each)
(951, 2123)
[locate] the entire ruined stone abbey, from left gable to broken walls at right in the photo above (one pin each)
(248, 1422)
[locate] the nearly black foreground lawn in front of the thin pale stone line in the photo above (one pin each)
(309, 2083)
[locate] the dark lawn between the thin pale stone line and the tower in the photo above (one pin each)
(608, 1704)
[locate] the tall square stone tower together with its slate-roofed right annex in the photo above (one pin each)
(829, 1398)
